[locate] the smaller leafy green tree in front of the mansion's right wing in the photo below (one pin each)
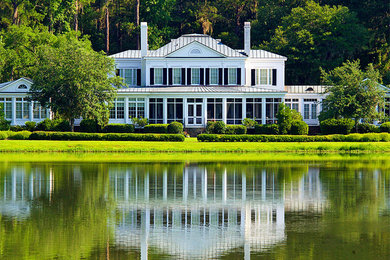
(352, 93)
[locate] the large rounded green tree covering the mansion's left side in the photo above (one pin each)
(74, 81)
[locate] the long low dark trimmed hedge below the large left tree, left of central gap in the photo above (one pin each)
(71, 136)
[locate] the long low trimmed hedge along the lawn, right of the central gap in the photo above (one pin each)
(383, 137)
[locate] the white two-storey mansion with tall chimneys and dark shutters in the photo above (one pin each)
(192, 79)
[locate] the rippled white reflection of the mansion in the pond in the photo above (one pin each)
(203, 214)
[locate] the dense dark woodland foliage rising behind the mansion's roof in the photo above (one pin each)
(311, 33)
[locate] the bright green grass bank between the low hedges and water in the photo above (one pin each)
(191, 145)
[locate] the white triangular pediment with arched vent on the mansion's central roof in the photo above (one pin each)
(195, 50)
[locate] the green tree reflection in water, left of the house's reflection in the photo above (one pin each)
(69, 223)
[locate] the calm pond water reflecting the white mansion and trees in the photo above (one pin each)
(275, 210)
